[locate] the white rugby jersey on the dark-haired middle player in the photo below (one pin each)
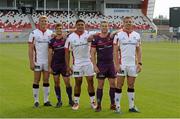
(80, 48)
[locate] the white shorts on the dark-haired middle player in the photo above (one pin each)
(85, 70)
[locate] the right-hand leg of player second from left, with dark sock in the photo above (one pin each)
(68, 90)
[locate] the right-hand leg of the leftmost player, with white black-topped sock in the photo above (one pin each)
(46, 88)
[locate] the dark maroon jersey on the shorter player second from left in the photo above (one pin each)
(59, 52)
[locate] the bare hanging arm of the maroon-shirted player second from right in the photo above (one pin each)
(93, 59)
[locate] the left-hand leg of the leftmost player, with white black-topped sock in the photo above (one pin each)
(37, 77)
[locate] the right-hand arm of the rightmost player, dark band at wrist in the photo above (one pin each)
(139, 57)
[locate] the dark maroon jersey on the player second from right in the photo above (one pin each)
(104, 48)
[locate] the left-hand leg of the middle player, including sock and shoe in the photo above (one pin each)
(77, 92)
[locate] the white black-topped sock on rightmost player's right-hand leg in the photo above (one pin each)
(131, 95)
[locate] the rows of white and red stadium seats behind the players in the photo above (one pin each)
(16, 20)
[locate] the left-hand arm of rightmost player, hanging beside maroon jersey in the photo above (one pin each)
(116, 54)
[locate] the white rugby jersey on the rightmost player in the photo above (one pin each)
(127, 43)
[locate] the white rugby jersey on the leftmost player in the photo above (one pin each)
(40, 40)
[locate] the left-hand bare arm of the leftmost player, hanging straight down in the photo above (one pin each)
(31, 55)
